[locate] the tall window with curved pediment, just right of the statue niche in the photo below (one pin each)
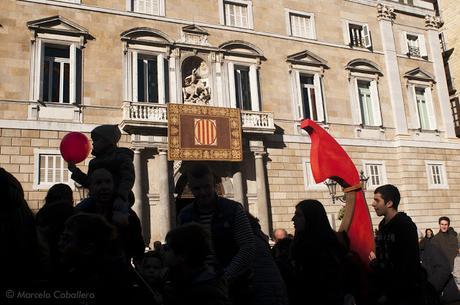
(241, 62)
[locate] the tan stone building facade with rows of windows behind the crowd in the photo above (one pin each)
(370, 72)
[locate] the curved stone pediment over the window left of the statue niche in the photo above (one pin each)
(146, 36)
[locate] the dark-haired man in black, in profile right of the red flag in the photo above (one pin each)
(396, 261)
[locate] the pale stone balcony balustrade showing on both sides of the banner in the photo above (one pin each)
(141, 117)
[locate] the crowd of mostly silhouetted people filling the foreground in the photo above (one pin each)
(216, 255)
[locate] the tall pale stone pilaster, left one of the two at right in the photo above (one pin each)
(386, 15)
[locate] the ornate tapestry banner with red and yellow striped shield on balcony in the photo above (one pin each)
(204, 133)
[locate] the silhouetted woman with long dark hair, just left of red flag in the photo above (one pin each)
(316, 258)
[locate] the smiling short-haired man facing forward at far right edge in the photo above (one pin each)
(447, 240)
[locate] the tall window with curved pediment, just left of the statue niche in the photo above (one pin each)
(146, 65)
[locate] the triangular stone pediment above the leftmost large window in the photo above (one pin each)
(60, 26)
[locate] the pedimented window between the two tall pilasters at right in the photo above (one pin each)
(419, 87)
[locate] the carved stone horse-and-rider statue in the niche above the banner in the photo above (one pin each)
(196, 88)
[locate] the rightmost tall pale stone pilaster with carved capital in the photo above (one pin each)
(432, 24)
